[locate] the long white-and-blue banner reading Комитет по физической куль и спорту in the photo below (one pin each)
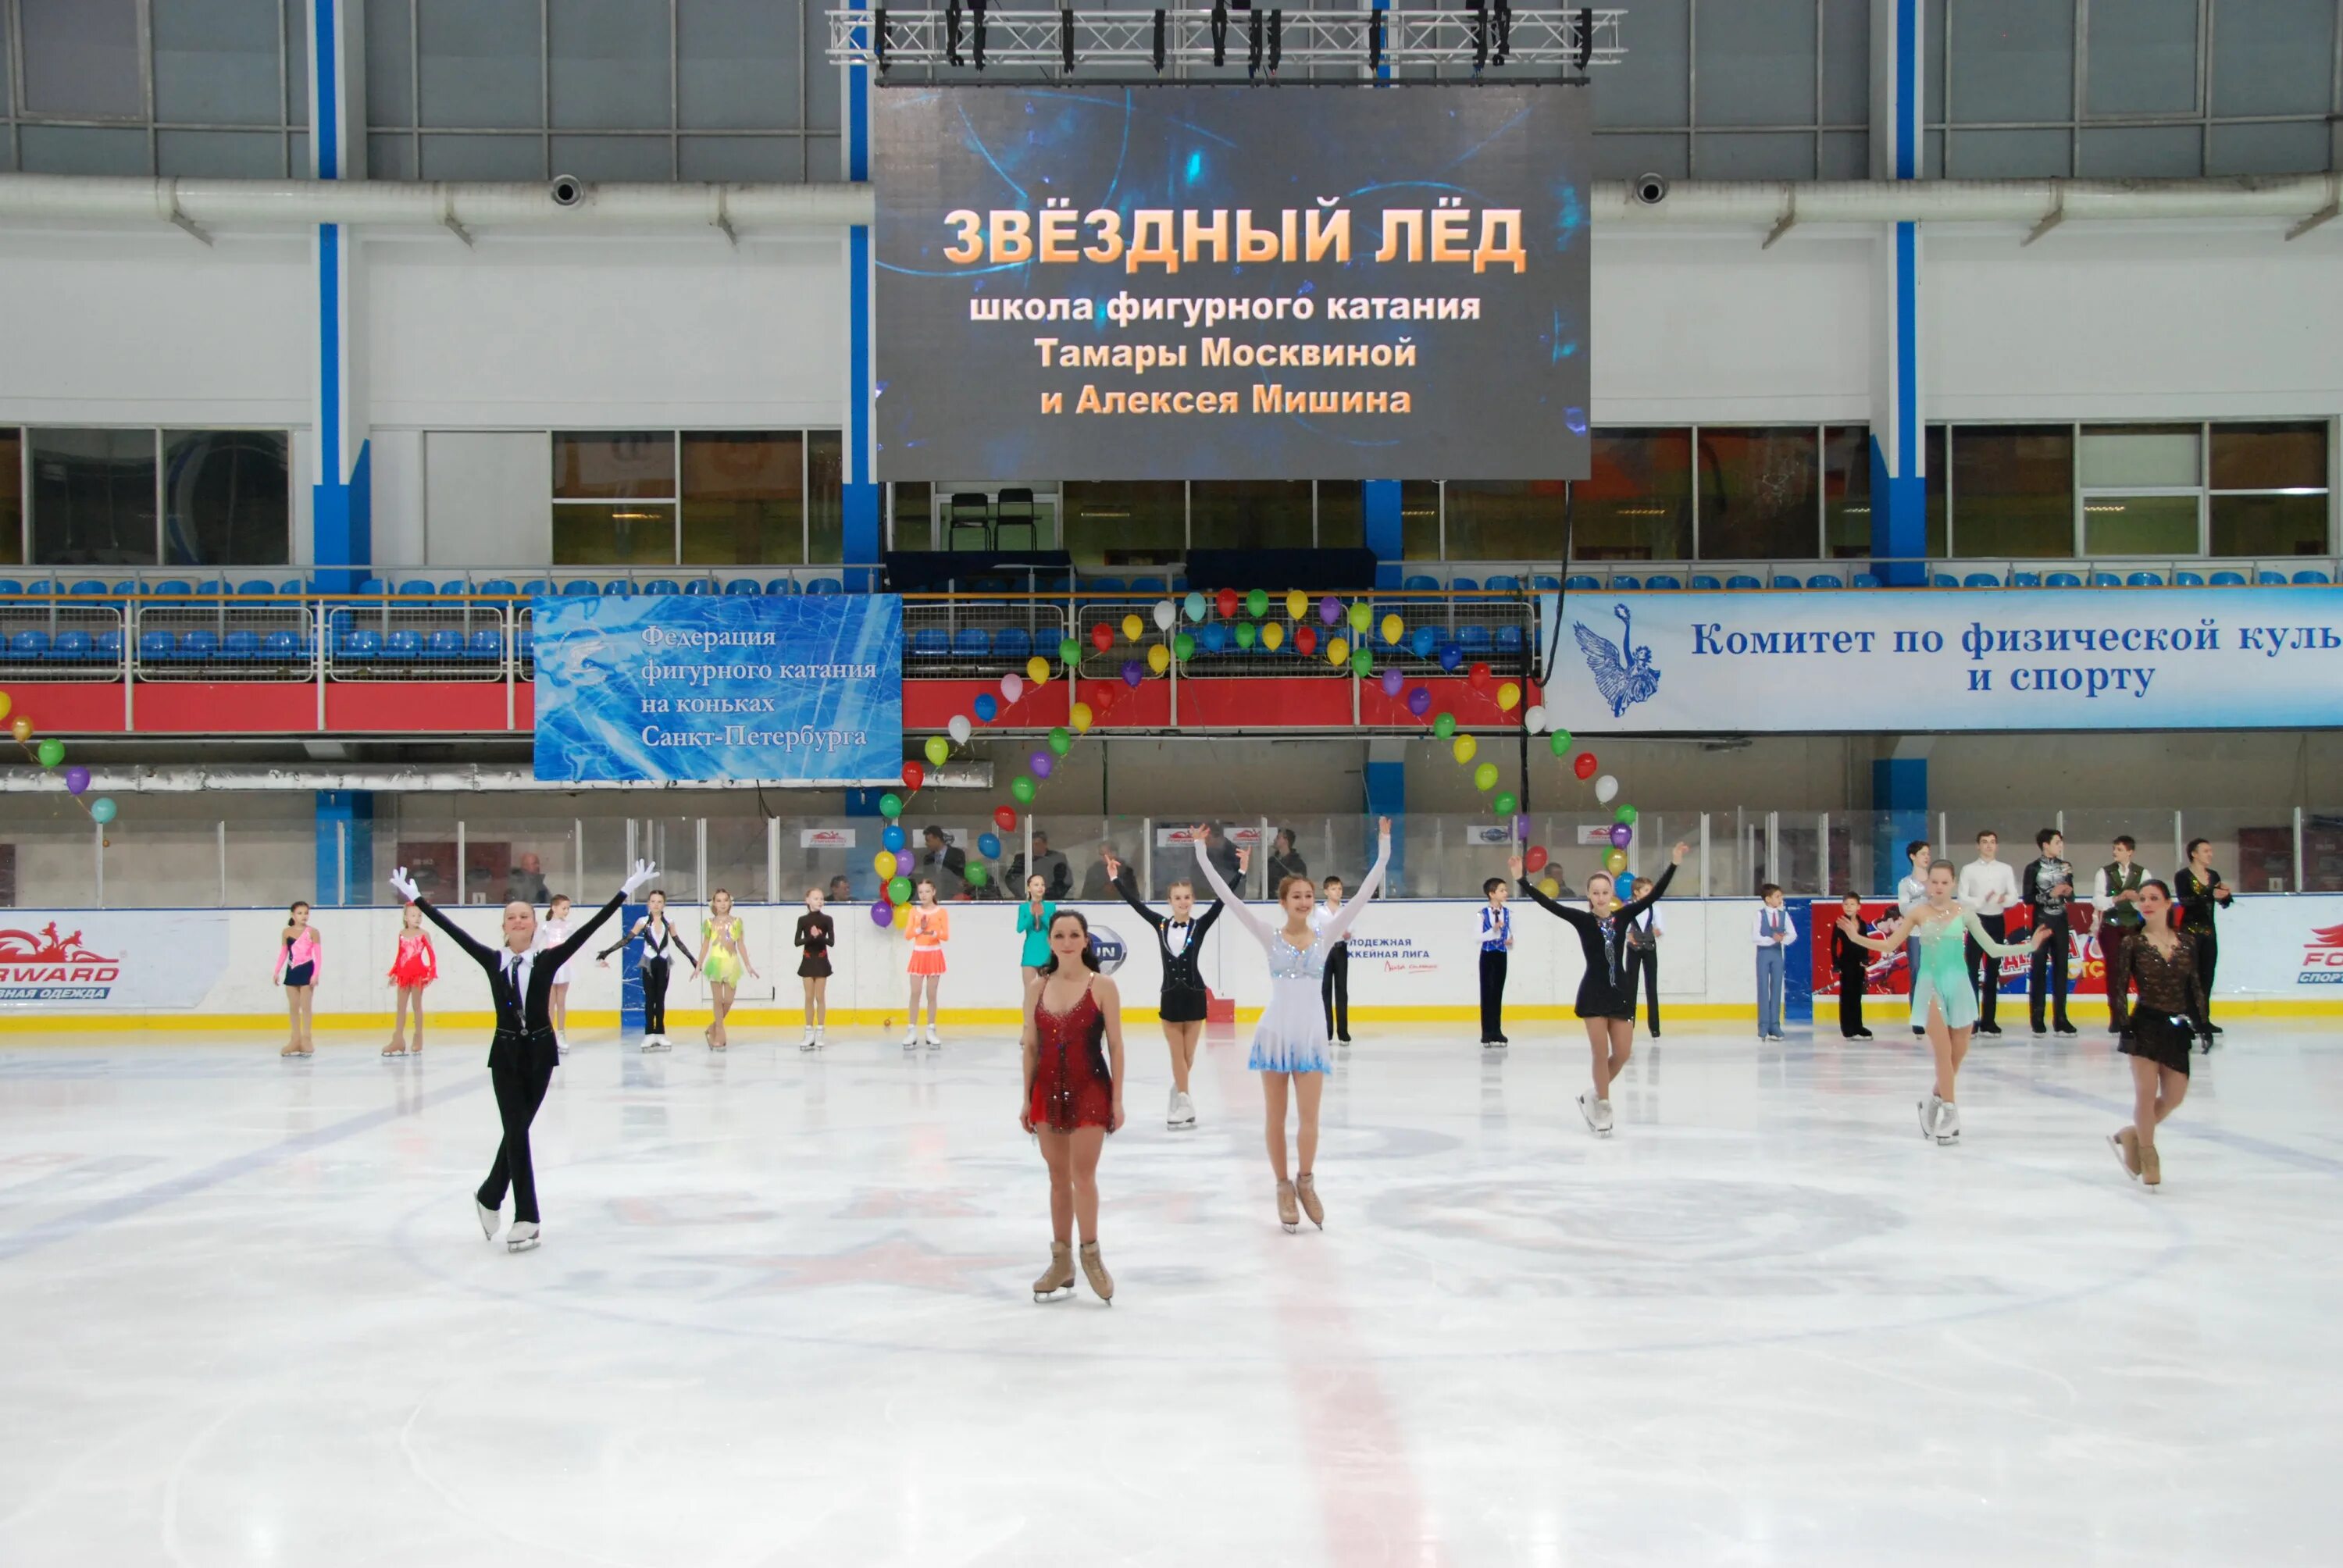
(1944, 660)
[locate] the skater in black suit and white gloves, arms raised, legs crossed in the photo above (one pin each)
(524, 1051)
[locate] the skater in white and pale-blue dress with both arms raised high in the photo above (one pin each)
(1290, 1042)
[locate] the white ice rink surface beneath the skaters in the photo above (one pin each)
(784, 1311)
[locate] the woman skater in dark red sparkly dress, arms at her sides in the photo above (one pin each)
(1072, 1096)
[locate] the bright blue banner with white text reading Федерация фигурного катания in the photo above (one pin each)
(788, 690)
